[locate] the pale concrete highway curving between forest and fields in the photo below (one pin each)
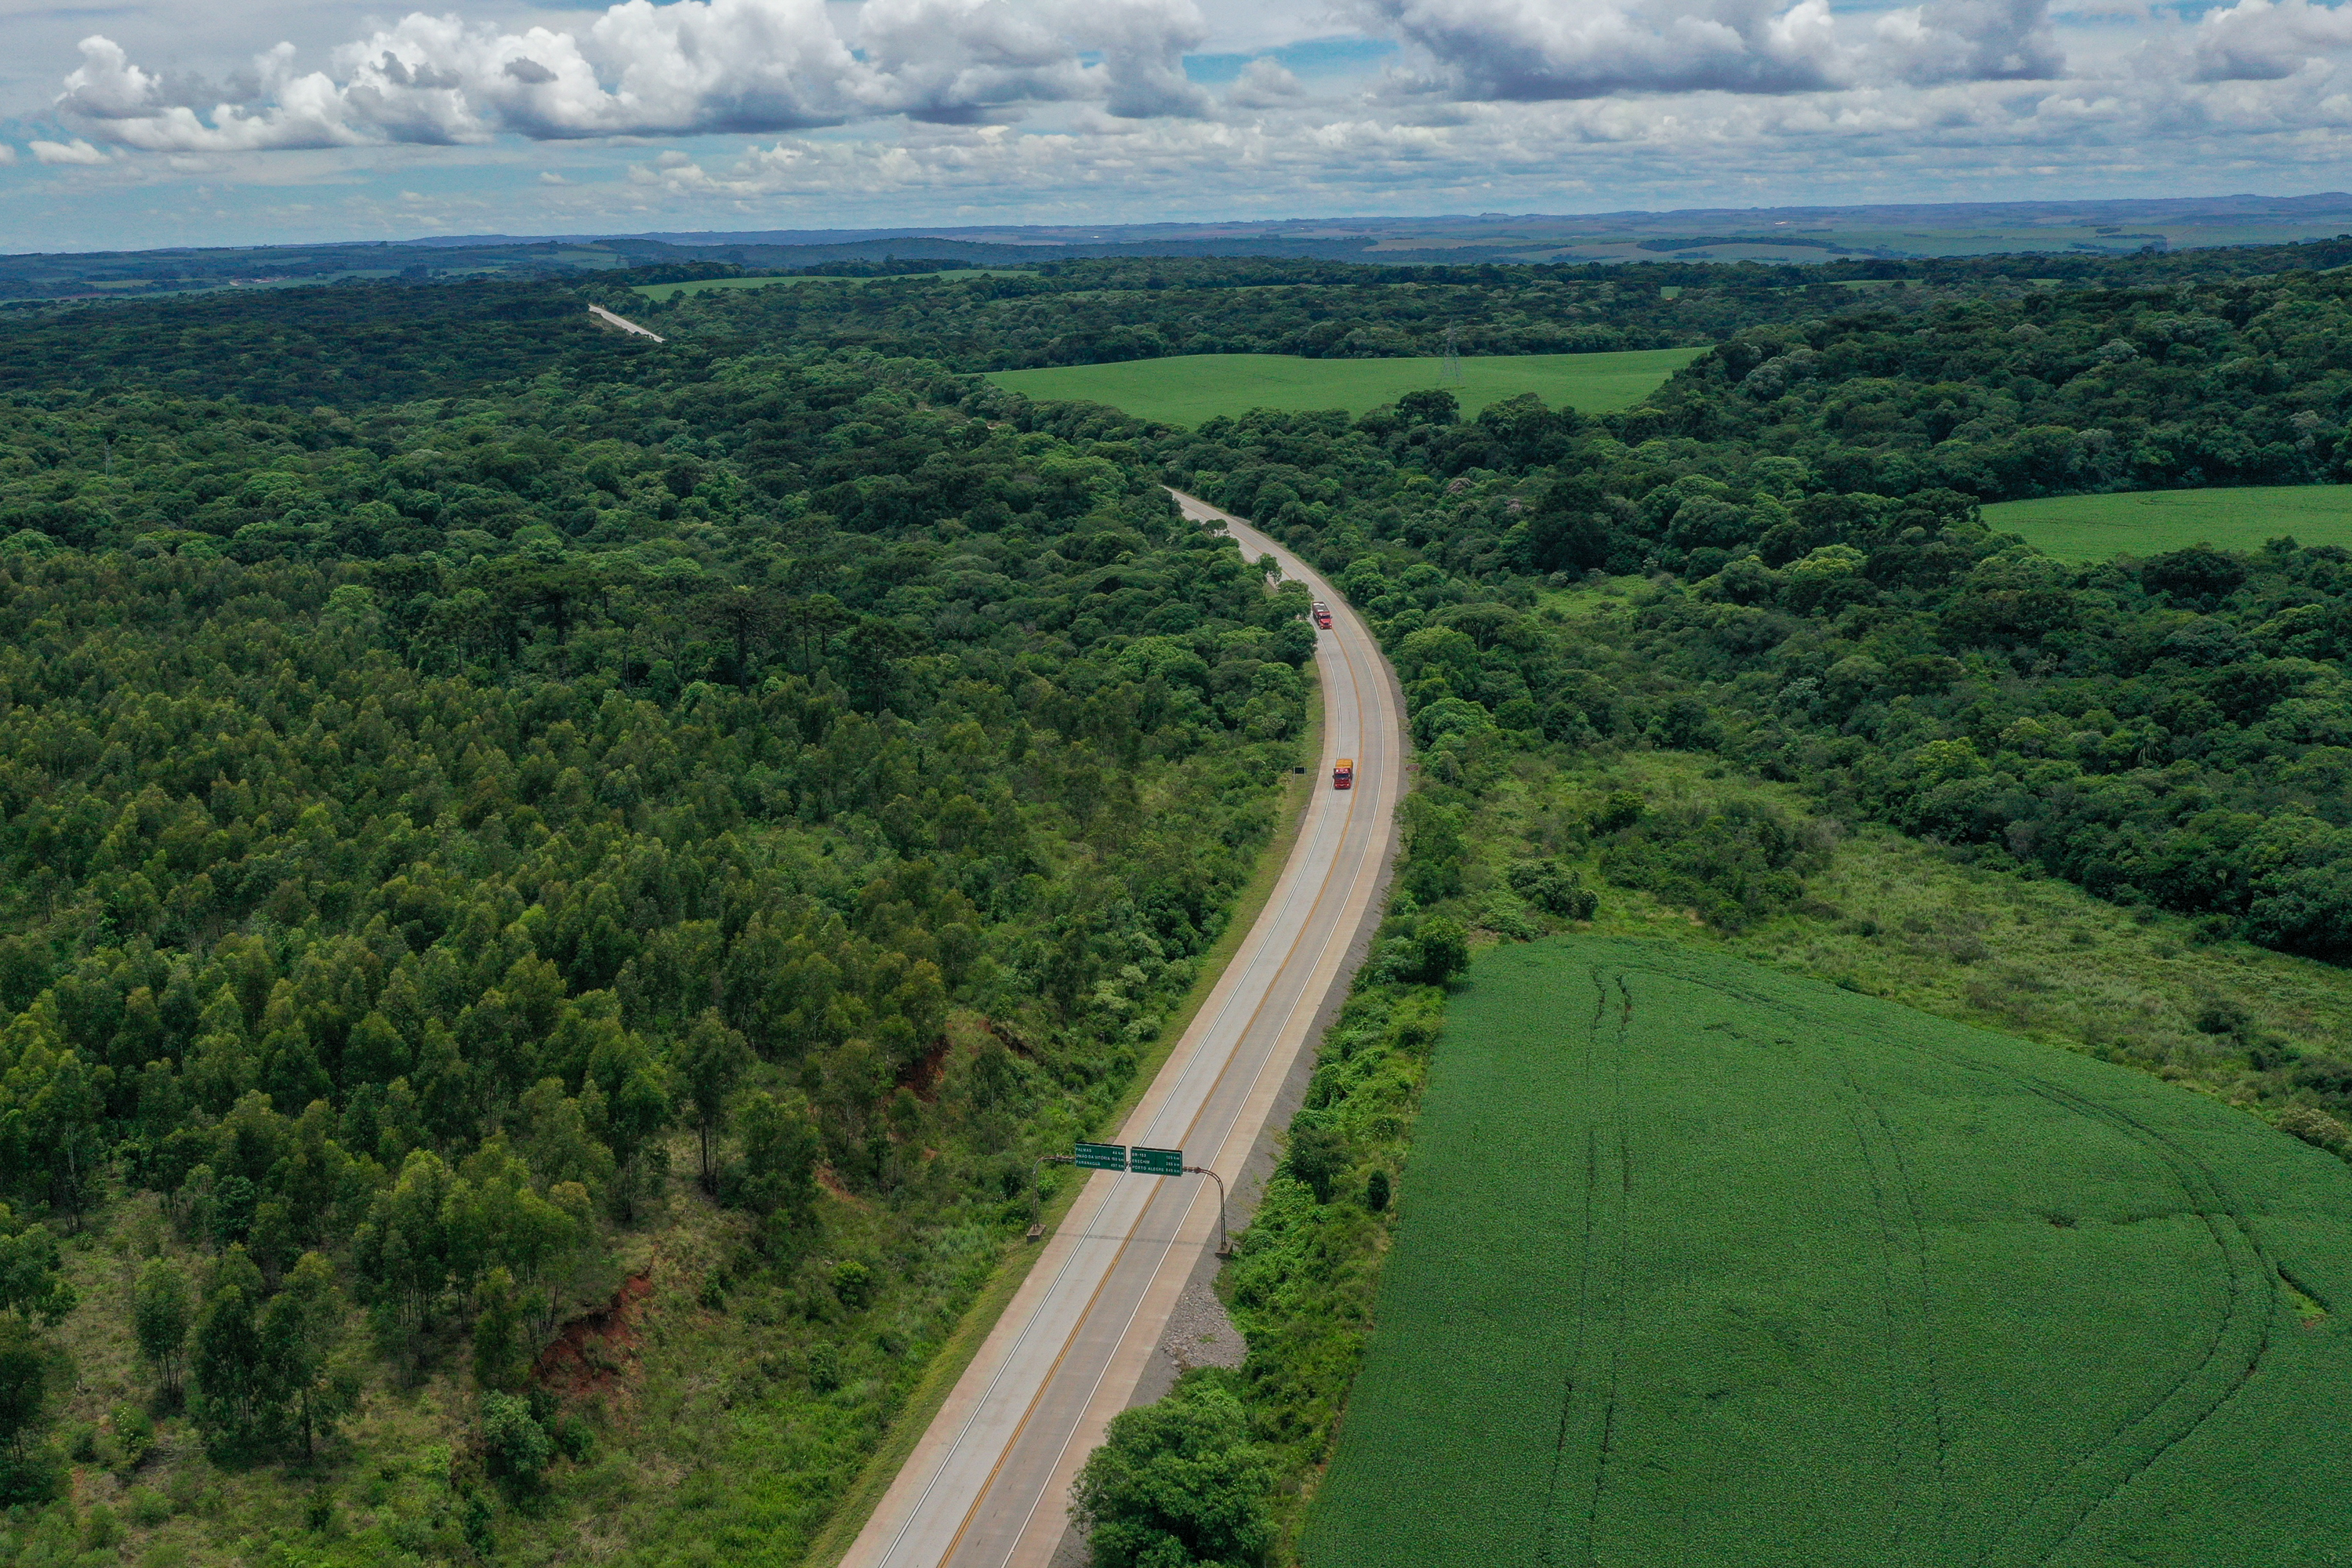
(989, 1485)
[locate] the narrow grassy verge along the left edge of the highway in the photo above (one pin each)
(1005, 1282)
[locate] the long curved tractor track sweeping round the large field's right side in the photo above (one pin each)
(2057, 1515)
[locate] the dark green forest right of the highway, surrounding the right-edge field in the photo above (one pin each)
(2167, 730)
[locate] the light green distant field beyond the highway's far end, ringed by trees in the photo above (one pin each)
(1194, 389)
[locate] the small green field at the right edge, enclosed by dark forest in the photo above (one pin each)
(2144, 523)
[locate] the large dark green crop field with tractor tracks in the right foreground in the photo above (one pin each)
(1720, 1268)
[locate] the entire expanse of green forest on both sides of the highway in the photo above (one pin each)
(500, 815)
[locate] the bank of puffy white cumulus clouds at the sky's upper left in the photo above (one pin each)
(695, 67)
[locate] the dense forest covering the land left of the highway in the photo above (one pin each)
(448, 843)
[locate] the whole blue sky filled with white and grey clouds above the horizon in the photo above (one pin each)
(253, 121)
